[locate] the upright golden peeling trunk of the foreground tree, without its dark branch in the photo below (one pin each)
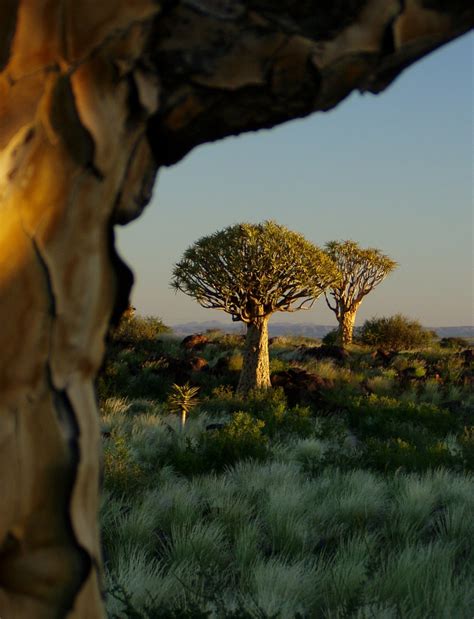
(69, 141)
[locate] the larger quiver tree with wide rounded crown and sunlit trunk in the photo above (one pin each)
(252, 271)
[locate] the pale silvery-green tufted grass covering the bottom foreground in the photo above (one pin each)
(272, 540)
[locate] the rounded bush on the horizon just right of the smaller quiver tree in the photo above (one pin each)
(395, 333)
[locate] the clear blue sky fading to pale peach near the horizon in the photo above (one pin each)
(393, 171)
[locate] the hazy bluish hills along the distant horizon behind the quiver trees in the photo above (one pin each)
(304, 329)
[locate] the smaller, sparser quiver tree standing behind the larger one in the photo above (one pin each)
(360, 271)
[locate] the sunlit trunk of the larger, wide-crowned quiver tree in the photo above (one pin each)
(255, 372)
